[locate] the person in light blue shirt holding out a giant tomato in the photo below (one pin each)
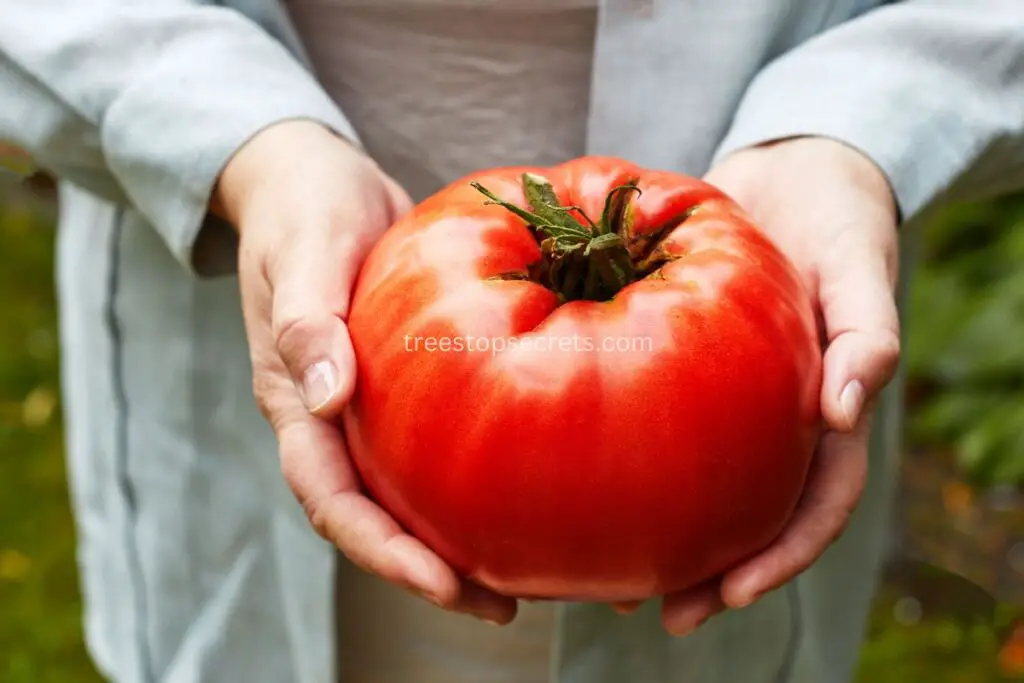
(226, 166)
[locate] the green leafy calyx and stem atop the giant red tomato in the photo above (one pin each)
(582, 260)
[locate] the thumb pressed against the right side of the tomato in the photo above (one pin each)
(863, 327)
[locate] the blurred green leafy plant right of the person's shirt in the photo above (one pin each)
(966, 339)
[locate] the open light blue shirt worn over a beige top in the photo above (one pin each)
(197, 565)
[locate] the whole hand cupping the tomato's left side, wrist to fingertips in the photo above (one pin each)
(309, 207)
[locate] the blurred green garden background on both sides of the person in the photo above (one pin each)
(961, 506)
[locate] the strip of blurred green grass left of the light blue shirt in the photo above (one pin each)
(40, 613)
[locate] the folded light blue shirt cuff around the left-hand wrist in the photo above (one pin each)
(169, 135)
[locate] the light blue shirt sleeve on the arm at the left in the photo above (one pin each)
(145, 103)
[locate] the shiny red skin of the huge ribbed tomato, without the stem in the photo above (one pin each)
(569, 469)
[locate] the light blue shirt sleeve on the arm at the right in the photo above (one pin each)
(931, 91)
